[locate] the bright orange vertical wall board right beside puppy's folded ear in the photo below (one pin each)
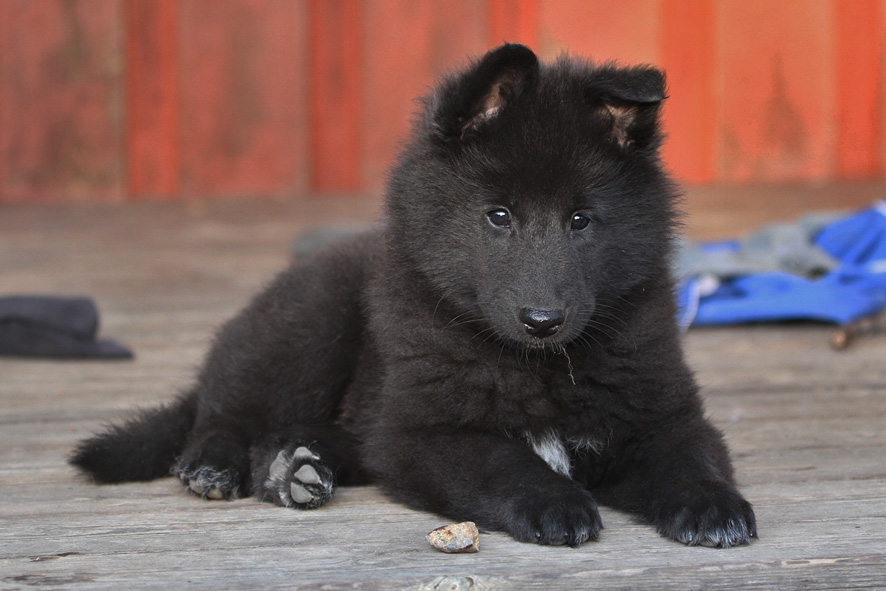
(687, 55)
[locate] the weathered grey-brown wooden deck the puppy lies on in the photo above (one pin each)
(806, 426)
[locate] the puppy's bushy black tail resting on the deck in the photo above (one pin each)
(143, 448)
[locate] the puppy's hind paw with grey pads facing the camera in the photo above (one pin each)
(298, 478)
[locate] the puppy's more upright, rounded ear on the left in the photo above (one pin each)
(469, 101)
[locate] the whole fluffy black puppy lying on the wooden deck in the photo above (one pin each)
(529, 193)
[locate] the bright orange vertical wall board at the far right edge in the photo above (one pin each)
(859, 87)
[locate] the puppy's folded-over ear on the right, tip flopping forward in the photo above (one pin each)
(629, 100)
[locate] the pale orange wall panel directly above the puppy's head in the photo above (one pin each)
(623, 30)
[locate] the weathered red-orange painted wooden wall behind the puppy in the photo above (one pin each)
(168, 99)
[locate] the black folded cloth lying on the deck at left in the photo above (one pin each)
(53, 327)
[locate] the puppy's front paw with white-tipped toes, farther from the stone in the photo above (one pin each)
(717, 517)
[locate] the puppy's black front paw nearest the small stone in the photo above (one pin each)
(571, 518)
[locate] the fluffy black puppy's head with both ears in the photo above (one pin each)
(532, 196)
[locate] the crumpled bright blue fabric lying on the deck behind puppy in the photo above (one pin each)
(855, 288)
